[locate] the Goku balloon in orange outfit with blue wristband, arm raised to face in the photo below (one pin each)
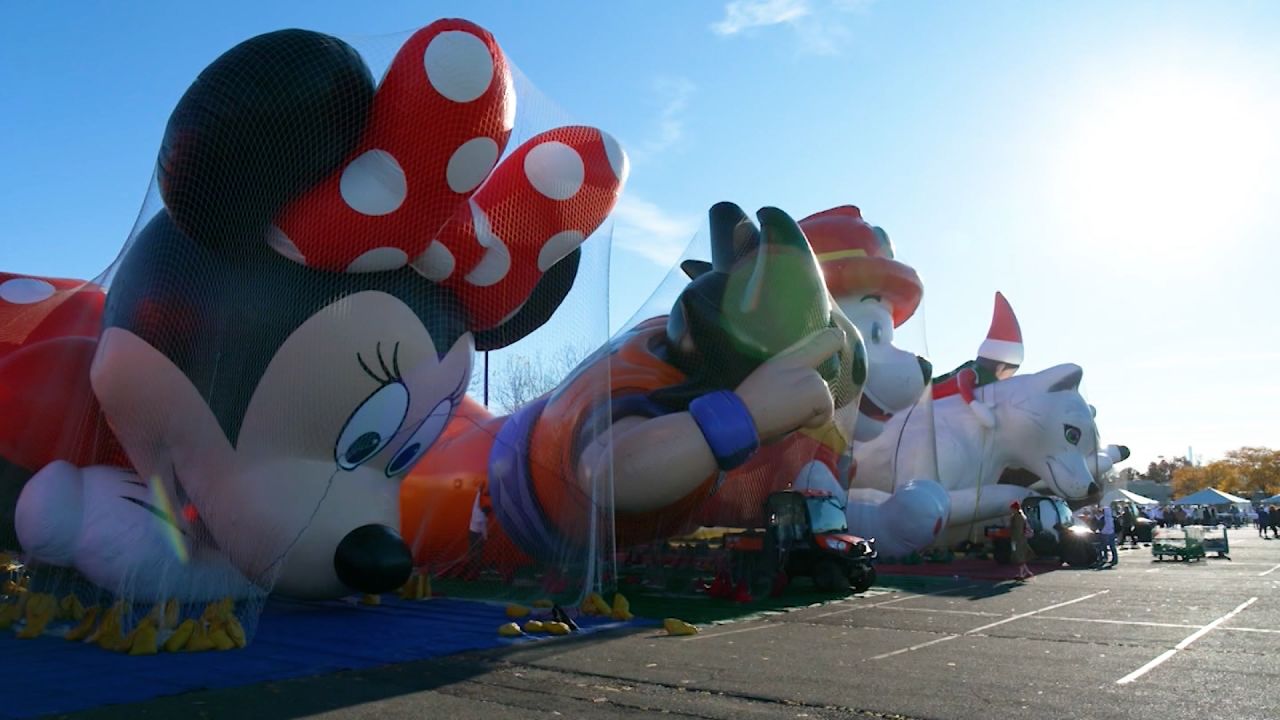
(753, 353)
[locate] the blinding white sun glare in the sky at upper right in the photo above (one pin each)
(1158, 167)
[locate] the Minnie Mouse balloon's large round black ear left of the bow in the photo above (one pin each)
(267, 121)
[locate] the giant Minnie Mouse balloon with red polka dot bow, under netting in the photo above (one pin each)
(294, 330)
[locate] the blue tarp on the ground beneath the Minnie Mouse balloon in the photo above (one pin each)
(294, 640)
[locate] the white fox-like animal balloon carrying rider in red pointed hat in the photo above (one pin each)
(999, 439)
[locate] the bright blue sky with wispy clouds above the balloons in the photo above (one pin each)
(1112, 167)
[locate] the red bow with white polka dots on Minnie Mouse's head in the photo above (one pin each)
(424, 186)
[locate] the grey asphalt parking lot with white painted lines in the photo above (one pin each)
(1145, 640)
